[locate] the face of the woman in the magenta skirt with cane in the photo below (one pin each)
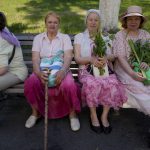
(52, 24)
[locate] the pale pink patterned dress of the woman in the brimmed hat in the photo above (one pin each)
(138, 94)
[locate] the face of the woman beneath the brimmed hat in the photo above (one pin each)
(133, 22)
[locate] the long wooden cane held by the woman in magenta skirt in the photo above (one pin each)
(46, 114)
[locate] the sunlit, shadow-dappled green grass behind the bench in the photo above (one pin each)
(27, 16)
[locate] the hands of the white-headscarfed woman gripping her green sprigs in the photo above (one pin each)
(98, 62)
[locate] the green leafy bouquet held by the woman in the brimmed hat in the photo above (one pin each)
(140, 52)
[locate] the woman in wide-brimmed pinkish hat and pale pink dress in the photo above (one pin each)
(138, 94)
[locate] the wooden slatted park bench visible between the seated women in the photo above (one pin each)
(26, 41)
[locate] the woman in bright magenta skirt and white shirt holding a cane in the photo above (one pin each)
(63, 99)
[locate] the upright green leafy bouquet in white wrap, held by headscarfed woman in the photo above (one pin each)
(99, 50)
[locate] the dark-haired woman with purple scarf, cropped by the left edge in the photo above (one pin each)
(12, 66)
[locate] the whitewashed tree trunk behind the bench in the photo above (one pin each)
(109, 10)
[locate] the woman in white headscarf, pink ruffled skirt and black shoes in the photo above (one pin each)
(105, 91)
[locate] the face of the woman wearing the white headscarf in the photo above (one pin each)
(93, 22)
